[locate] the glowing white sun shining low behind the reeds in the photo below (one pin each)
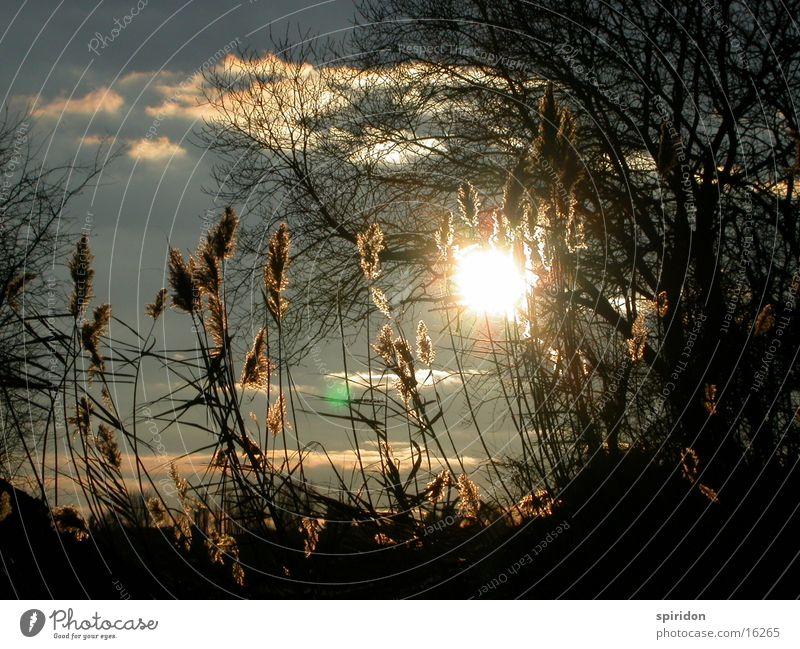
(489, 281)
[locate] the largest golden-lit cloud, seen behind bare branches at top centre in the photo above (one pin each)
(265, 97)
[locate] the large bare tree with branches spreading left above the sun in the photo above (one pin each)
(684, 141)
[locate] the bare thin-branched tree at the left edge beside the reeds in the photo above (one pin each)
(33, 199)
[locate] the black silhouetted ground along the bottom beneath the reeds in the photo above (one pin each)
(642, 533)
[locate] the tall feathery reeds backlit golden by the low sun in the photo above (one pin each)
(565, 403)
